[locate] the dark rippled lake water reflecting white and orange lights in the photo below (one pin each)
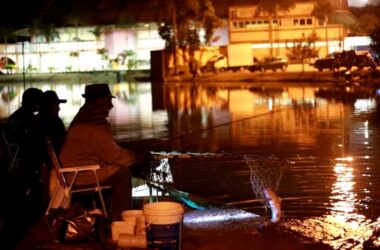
(331, 136)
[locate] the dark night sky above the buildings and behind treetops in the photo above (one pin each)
(22, 13)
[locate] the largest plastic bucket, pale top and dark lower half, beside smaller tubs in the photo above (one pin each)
(164, 220)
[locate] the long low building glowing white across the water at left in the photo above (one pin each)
(74, 49)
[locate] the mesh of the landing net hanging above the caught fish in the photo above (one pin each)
(266, 173)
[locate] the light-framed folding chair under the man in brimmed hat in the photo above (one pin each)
(62, 194)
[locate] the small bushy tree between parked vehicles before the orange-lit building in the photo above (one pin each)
(302, 49)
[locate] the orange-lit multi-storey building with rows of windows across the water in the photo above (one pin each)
(271, 35)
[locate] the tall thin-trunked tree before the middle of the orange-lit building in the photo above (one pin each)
(271, 9)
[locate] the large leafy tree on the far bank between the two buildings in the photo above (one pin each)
(190, 28)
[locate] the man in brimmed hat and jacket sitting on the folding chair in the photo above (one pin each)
(89, 140)
